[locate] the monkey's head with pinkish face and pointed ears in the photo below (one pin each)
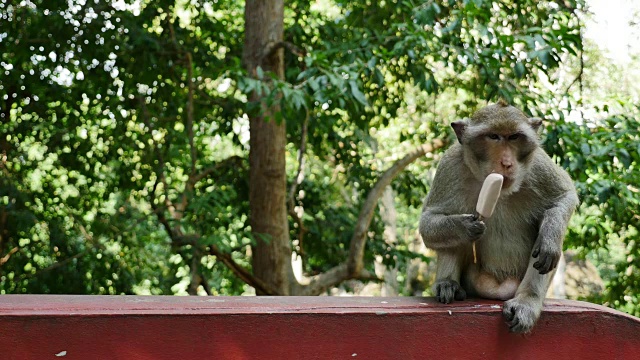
(499, 138)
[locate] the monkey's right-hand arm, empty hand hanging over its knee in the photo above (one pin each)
(563, 200)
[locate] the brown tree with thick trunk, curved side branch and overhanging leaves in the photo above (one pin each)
(263, 40)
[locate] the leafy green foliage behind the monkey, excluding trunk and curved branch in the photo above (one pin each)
(124, 131)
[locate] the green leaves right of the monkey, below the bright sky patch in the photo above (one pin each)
(602, 158)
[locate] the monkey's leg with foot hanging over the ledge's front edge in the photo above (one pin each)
(524, 309)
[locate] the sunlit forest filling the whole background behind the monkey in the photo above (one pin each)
(204, 147)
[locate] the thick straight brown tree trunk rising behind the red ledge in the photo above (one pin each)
(271, 257)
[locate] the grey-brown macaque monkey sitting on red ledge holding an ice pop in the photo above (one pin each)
(519, 247)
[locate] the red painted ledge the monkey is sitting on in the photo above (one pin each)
(167, 327)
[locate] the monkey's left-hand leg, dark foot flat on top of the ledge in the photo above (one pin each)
(449, 267)
